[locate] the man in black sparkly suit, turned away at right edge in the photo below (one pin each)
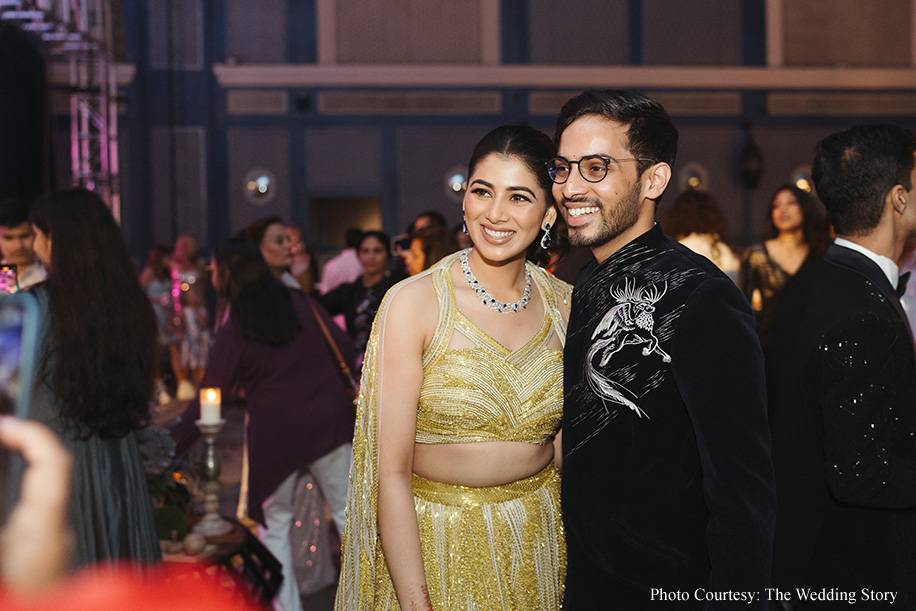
(844, 407)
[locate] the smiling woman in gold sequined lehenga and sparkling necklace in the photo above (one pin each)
(454, 496)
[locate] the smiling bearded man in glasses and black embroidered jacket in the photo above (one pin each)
(668, 495)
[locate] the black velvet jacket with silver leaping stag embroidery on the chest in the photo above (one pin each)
(667, 476)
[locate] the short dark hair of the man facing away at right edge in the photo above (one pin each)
(855, 169)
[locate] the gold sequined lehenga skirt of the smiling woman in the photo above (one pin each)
(489, 549)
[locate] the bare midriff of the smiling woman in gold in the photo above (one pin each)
(488, 463)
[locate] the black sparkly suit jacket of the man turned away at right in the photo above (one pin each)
(844, 433)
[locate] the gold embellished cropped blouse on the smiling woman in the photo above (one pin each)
(488, 392)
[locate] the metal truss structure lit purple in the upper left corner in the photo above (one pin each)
(80, 33)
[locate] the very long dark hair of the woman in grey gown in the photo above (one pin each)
(100, 348)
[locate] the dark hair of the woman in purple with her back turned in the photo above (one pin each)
(262, 304)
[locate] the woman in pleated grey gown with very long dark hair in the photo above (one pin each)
(95, 373)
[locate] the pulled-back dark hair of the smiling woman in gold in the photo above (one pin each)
(533, 147)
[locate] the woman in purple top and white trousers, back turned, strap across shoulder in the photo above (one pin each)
(272, 348)
